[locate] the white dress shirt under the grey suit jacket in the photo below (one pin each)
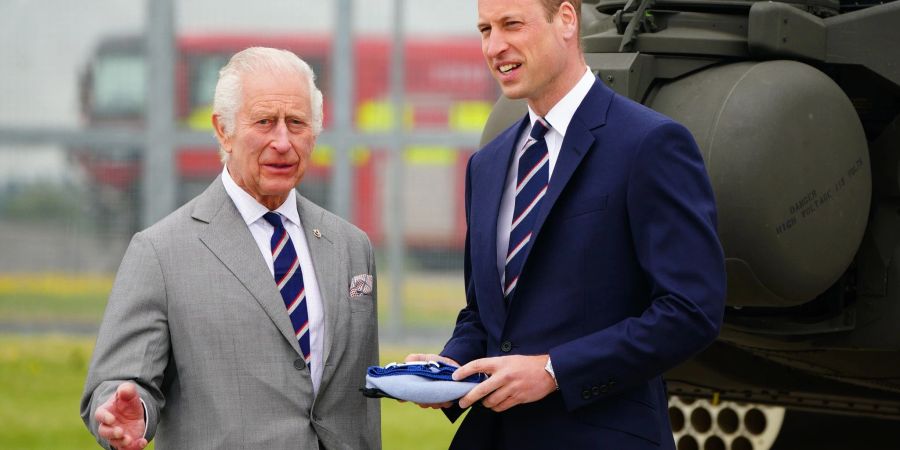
(252, 212)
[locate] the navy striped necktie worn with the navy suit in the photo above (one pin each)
(531, 185)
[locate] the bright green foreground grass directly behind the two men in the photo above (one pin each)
(41, 378)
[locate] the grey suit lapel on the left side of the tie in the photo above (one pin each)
(229, 239)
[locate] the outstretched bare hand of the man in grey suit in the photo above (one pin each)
(121, 419)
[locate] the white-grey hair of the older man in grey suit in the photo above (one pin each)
(227, 99)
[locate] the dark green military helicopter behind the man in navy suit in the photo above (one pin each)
(796, 108)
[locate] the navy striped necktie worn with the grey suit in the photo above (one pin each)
(289, 279)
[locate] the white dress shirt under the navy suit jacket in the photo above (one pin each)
(558, 118)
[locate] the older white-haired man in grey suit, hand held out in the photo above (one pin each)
(246, 318)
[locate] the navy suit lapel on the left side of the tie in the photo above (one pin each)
(488, 185)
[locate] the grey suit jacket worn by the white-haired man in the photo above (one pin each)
(195, 320)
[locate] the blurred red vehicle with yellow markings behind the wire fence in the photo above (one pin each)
(447, 88)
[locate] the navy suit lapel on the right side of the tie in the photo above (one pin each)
(580, 138)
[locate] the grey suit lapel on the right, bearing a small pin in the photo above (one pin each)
(325, 263)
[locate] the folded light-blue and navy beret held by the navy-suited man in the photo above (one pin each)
(418, 382)
